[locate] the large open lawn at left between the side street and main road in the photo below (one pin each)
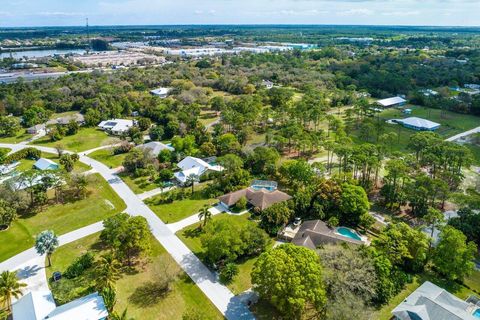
(101, 203)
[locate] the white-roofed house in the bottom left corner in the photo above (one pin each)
(40, 305)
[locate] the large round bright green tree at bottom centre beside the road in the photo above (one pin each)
(290, 278)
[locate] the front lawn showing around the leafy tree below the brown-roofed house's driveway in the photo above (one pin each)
(191, 237)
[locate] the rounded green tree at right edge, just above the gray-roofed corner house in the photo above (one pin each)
(453, 256)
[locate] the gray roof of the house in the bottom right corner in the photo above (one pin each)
(430, 302)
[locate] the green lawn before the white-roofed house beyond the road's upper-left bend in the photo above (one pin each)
(85, 139)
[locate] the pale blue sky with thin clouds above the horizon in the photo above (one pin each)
(15, 13)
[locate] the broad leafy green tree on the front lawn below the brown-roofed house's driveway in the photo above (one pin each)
(224, 241)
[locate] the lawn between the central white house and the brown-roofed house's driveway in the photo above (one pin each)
(178, 210)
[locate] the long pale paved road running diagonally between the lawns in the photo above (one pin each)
(230, 306)
